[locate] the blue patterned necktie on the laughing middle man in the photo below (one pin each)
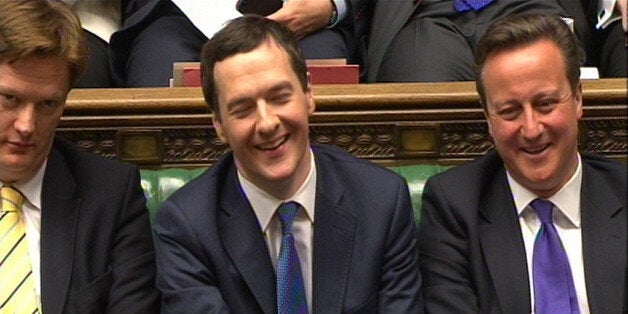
(290, 289)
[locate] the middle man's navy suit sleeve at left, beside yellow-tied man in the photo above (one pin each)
(186, 283)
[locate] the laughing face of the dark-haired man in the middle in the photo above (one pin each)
(264, 118)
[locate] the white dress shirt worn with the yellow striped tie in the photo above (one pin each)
(30, 217)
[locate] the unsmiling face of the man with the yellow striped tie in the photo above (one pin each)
(33, 91)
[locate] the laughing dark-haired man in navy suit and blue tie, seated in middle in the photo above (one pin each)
(220, 238)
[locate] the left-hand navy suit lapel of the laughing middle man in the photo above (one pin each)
(244, 242)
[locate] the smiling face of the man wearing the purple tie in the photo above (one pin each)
(533, 115)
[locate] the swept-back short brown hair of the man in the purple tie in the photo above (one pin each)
(516, 31)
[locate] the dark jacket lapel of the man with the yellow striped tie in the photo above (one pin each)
(58, 223)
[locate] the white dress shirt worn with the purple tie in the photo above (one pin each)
(566, 215)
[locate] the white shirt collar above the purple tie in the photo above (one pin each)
(567, 199)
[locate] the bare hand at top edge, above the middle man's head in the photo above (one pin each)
(304, 17)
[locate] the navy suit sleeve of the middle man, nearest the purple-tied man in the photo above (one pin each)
(400, 290)
